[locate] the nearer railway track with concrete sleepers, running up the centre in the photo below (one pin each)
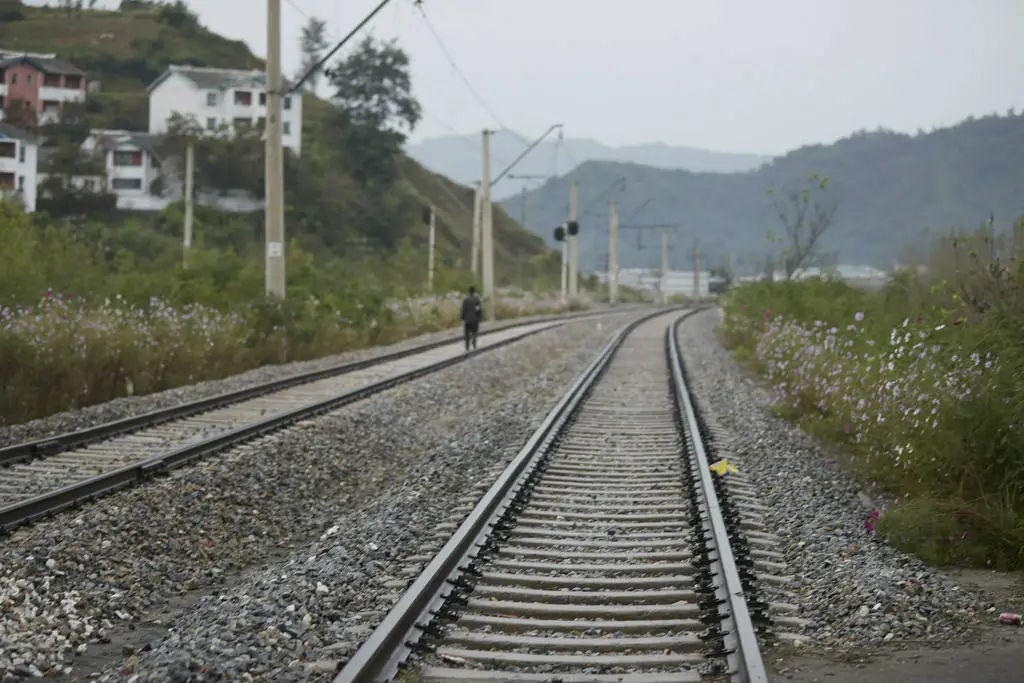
(603, 553)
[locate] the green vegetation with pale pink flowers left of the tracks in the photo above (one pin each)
(92, 315)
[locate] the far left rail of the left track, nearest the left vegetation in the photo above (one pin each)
(51, 446)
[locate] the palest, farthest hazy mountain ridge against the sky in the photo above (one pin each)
(460, 158)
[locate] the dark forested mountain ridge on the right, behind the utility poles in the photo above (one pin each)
(893, 190)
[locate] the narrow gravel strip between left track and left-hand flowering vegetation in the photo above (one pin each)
(132, 406)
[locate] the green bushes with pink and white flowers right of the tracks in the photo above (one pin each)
(923, 385)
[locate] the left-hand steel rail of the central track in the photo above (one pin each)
(389, 647)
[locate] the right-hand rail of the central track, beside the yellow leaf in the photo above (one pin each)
(740, 635)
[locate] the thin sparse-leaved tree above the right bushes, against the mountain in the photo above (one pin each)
(805, 219)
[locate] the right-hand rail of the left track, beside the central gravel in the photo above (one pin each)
(55, 501)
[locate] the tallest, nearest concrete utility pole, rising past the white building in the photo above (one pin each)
(275, 199)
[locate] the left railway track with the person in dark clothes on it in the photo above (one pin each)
(42, 478)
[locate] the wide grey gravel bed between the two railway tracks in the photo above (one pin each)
(373, 482)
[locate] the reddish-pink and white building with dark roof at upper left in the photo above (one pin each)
(40, 81)
